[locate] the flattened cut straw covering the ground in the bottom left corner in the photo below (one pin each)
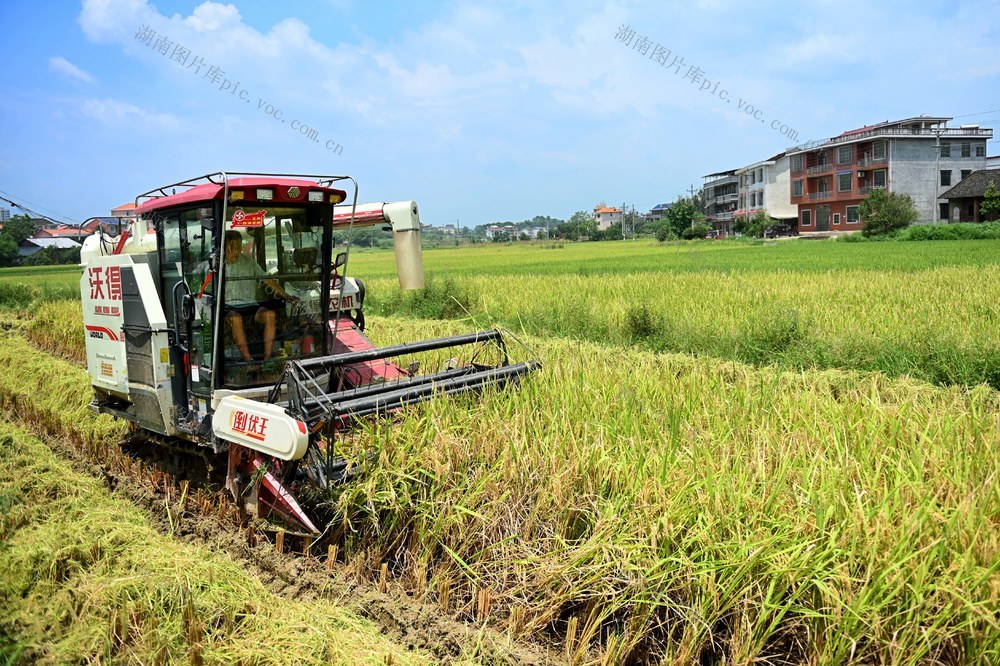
(84, 578)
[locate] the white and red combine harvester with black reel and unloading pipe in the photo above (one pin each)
(220, 319)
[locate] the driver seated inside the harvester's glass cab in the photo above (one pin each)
(241, 296)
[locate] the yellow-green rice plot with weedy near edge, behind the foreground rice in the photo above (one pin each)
(941, 324)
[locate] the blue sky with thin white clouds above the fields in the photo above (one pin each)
(479, 111)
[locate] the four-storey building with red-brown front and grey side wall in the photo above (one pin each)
(921, 157)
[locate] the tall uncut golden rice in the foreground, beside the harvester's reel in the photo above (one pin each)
(695, 508)
